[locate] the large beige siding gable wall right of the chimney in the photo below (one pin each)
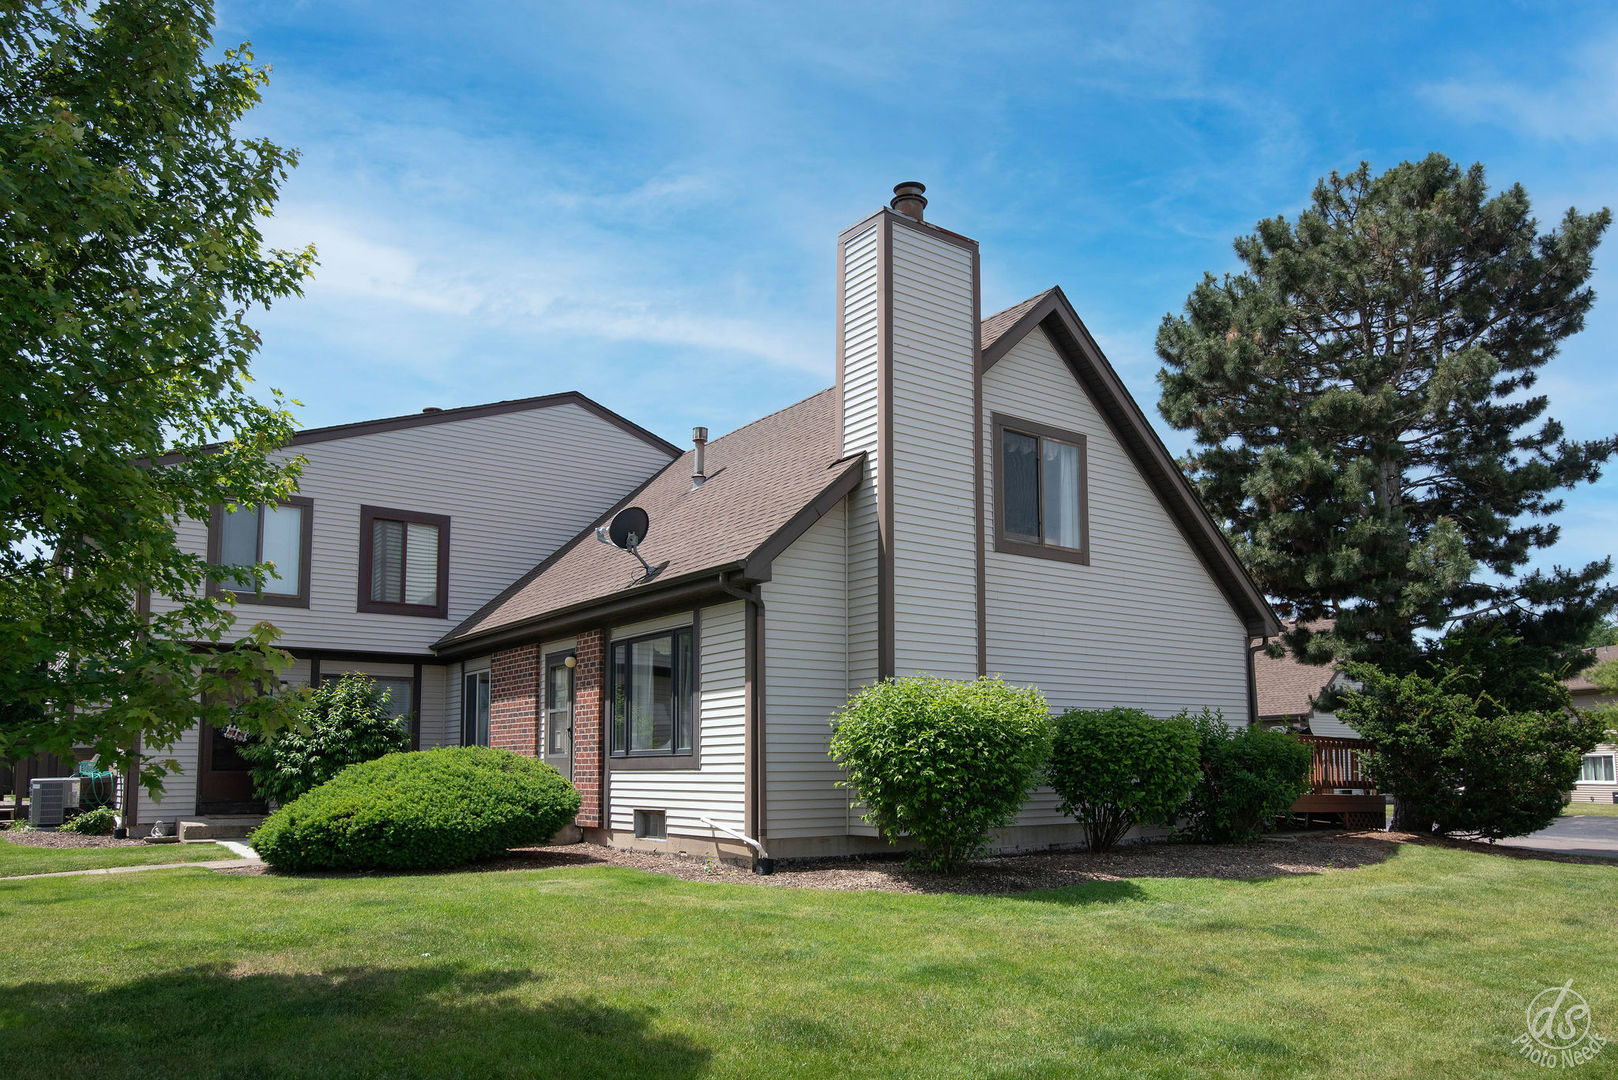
(1145, 624)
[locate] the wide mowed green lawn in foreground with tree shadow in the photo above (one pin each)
(1417, 967)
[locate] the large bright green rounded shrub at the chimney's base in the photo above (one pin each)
(942, 762)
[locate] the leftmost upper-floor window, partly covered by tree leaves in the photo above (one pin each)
(268, 534)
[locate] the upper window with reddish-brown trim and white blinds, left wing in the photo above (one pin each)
(404, 563)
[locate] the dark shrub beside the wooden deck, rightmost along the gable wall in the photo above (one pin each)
(1252, 778)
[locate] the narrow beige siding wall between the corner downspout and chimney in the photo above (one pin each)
(805, 682)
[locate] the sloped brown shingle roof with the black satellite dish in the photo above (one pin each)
(763, 478)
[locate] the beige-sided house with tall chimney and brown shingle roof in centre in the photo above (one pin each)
(972, 498)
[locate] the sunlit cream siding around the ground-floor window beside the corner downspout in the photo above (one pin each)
(718, 788)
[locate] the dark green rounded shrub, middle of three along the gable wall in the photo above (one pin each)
(1120, 768)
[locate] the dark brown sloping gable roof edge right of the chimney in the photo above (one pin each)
(1053, 313)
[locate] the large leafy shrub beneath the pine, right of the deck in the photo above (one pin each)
(1457, 760)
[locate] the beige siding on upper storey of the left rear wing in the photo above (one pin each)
(515, 487)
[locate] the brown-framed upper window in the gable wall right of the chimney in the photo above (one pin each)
(1041, 493)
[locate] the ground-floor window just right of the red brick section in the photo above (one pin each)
(653, 682)
